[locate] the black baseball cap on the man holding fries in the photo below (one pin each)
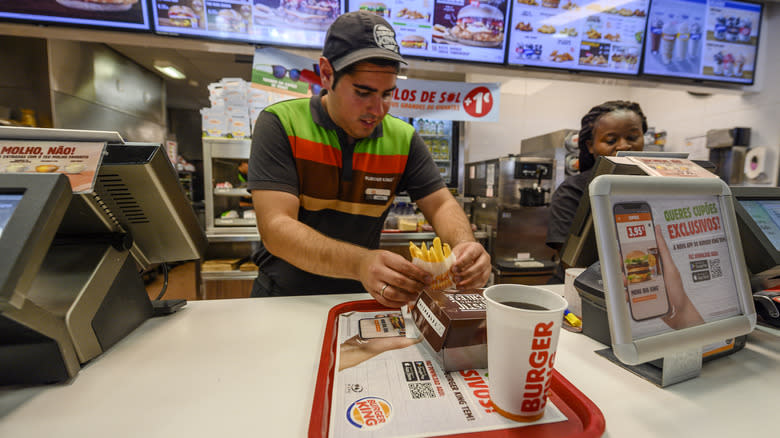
(356, 36)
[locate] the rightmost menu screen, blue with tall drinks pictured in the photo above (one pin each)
(712, 40)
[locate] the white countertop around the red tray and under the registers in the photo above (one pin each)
(247, 367)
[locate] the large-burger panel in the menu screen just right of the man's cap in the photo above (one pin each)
(470, 23)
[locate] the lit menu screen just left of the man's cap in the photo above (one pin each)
(300, 23)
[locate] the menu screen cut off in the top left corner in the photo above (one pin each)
(121, 14)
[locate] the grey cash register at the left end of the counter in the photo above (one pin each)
(70, 273)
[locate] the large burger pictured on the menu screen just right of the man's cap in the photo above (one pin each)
(479, 23)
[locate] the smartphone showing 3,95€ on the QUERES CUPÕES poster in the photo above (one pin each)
(647, 296)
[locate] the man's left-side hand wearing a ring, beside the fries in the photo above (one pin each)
(391, 279)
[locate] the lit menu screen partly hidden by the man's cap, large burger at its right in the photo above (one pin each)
(467, 30)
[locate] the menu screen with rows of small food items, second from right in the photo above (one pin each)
(591, 35)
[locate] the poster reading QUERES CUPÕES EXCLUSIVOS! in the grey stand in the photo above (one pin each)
(675, 262)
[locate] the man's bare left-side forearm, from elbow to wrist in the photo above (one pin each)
(312, 251)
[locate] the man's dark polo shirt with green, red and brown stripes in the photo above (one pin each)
(345, 191)
